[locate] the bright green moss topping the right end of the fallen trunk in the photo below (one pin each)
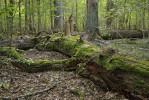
(127, 64)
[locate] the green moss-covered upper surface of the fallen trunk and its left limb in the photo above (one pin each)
(81, 50)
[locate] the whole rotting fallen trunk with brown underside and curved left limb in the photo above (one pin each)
(88, 61)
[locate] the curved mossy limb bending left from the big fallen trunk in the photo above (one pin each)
(33, 66)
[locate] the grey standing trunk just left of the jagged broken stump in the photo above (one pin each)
(58, 20)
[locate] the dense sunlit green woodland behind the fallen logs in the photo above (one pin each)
(32, 16)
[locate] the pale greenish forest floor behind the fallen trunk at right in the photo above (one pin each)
(133, 48)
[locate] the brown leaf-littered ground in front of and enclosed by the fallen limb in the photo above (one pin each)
(48, 85)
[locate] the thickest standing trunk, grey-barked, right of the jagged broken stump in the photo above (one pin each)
(92, 19)
